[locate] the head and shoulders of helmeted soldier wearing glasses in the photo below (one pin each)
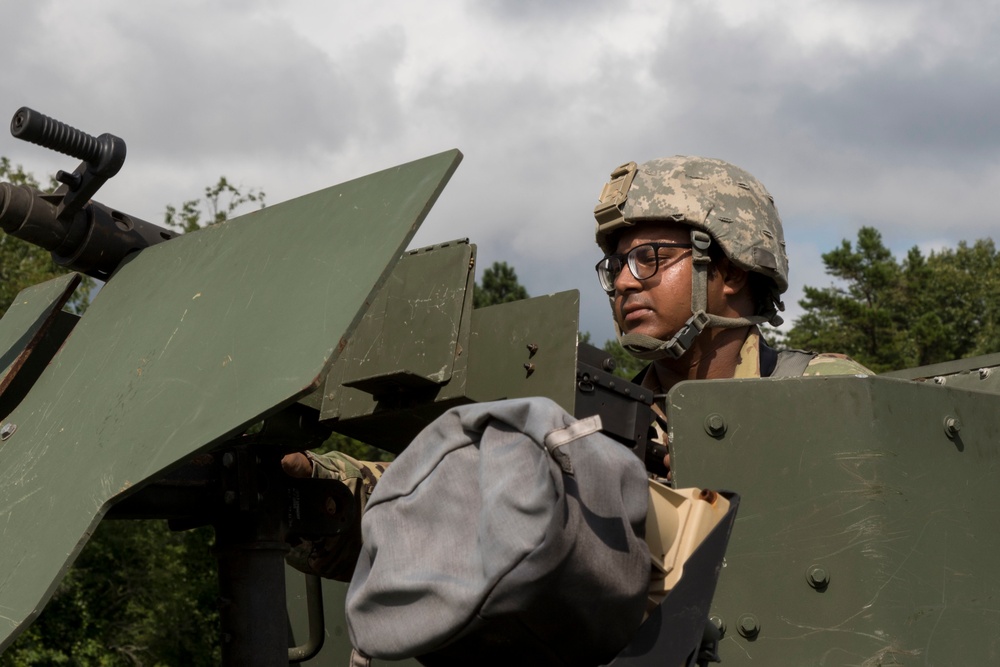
(694, 262)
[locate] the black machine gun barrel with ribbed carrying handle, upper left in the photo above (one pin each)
(82, 234)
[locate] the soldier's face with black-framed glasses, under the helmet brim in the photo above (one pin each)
(659, 305)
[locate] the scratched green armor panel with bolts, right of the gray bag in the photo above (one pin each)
(859, 477)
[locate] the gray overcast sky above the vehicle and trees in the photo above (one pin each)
(878, 112)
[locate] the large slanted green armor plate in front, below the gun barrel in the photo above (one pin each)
(189, 343)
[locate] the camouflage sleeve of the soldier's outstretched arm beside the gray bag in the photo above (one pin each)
(334, 557)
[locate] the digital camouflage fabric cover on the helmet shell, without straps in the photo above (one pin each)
(719, 198)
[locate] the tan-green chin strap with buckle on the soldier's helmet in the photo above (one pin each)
(653, 349)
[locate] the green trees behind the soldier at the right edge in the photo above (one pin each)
(890, 314)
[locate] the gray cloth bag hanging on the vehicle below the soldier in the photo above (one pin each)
(506, 533)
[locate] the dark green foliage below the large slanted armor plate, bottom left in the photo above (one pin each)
(139, 594)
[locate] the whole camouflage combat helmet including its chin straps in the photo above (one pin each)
(722, 204)
